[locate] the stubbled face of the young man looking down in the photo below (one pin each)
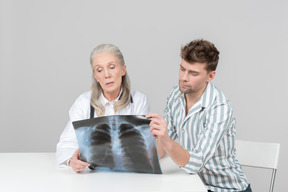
(193, 78)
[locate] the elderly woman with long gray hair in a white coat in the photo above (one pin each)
(110, 94)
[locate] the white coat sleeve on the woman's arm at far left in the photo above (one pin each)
(68, 144)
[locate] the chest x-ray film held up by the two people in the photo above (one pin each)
(118, 143)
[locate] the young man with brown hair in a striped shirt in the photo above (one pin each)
(200, 118)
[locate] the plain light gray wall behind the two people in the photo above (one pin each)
(44, 63)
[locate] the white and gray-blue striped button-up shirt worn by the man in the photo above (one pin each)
(207, 132)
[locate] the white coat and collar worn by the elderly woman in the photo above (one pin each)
(81, 110)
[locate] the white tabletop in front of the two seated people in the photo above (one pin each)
(38, 172)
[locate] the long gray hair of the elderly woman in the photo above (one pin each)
(96, 87)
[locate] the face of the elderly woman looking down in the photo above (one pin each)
(108, 72)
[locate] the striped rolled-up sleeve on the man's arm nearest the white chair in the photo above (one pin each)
(218, 120)
